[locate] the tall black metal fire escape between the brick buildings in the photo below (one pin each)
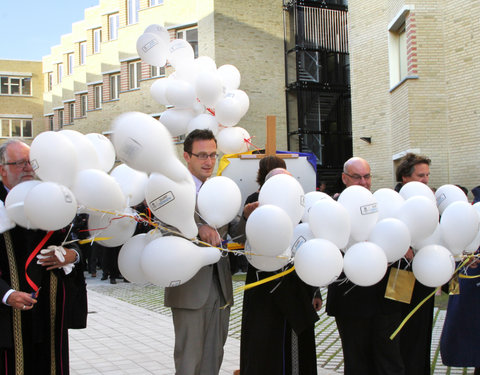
(318, 83)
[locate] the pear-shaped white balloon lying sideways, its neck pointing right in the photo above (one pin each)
(172, 261)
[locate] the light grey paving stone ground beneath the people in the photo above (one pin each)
(131, 332)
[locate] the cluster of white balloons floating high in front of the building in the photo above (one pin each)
(201, 95)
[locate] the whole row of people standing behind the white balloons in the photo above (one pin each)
(42, 299)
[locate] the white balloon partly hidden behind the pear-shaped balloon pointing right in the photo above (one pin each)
(129, 258)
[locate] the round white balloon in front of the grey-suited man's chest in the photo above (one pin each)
(219, 201)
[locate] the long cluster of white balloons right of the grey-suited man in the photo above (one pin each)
(373, 231)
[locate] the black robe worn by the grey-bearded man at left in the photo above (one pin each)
(67, 293)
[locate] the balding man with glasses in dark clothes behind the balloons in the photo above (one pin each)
(365, 318)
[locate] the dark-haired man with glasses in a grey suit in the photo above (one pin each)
(201, 306)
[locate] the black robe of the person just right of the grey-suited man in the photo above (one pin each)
(278, 324)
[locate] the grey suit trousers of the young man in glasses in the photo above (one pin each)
(200, 334)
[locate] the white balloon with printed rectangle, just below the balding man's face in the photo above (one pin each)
(362, 209)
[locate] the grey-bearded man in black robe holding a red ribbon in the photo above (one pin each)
(40, 301)
